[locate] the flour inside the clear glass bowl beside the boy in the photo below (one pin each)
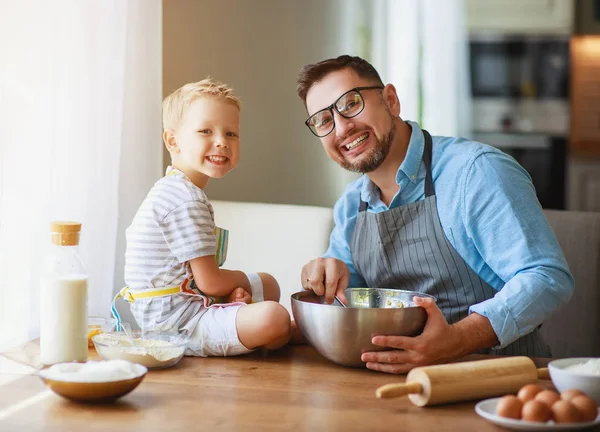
(152, 353)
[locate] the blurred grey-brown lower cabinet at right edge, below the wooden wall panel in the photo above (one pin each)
(584, 184)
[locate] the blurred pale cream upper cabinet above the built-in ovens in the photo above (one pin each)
(519, 16)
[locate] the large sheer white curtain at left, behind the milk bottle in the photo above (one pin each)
(80, 93)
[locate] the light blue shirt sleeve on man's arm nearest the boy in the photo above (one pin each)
(344, 219)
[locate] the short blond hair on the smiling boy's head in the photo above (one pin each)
(175, 104)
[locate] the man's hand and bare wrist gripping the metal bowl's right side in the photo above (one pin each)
(440, 342)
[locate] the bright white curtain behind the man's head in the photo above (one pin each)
(421, 46)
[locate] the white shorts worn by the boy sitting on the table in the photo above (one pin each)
(215, 334)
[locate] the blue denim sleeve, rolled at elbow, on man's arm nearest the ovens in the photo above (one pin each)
(505, 221)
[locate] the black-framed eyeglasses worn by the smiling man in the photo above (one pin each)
(348, 105)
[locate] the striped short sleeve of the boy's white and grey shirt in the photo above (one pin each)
(189, 231)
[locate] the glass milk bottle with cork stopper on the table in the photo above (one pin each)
(63, 306)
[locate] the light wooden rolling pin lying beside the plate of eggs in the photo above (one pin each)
(431, 385)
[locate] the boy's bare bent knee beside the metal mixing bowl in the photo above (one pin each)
(265, 324)
